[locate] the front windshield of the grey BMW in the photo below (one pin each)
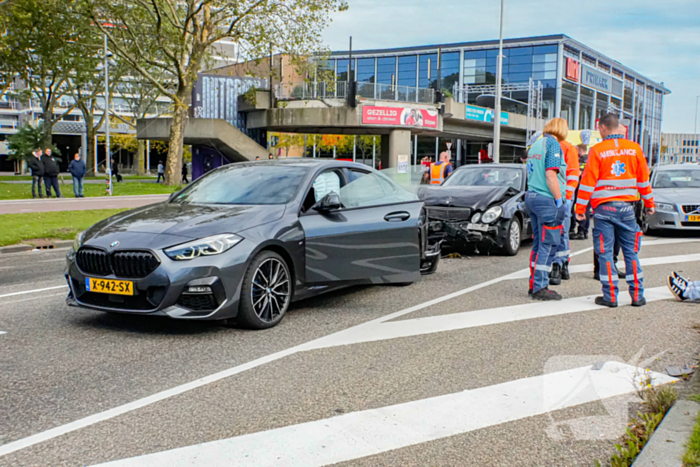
(261, 184)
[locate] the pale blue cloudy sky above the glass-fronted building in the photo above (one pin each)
(659, 39)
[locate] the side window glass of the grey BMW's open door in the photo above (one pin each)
(372, 189)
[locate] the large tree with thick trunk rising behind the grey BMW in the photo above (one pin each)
(179, 36)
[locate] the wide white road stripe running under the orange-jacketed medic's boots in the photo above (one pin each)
(471, 319)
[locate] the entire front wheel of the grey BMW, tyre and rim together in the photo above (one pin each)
(263, 307)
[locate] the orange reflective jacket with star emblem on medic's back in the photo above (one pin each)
(616, 171)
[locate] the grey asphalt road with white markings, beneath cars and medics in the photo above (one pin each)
(458, 369)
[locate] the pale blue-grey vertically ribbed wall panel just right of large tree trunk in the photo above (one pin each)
(216, 96)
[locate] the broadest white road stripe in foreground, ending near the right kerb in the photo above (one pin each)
(369, 432)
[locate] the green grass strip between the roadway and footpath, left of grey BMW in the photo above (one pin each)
(62, 225)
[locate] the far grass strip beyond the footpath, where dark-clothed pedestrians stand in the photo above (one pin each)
(24, 190)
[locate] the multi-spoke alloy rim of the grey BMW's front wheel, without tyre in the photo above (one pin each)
(271, 290)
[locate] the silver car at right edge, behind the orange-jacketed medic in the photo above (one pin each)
(677, 197)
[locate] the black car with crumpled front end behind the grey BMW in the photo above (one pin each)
(479, 204)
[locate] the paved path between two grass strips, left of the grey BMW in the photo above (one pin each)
(22, 206)
